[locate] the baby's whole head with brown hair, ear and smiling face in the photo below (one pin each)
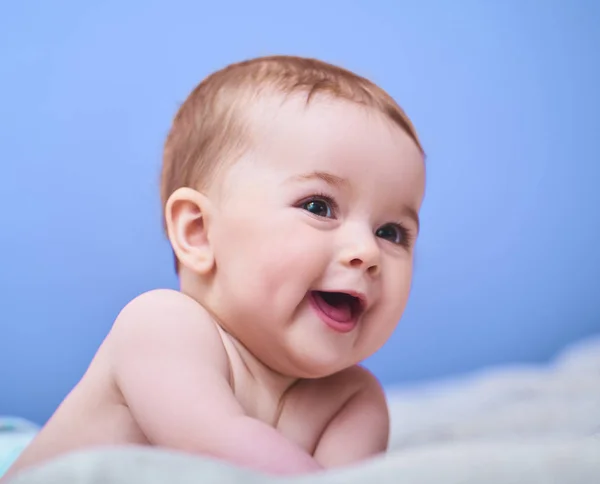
(291, 192)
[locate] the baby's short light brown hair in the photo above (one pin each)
(209, 130)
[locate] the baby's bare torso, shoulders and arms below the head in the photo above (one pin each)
(165, 356)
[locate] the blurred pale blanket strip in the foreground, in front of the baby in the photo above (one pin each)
(574, 462)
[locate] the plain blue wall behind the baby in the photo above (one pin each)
(504, 95)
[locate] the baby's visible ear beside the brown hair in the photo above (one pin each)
(187, 213)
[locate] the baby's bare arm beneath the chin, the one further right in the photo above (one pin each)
(360, 428)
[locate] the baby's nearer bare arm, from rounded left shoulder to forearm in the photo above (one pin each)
(171, 368)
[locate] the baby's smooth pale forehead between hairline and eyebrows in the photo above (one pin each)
(354, 142)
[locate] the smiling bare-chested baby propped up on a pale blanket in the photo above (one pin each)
(291, 191)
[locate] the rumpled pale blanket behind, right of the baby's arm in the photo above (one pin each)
(559, 400)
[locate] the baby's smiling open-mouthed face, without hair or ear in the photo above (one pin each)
(314, 236)
